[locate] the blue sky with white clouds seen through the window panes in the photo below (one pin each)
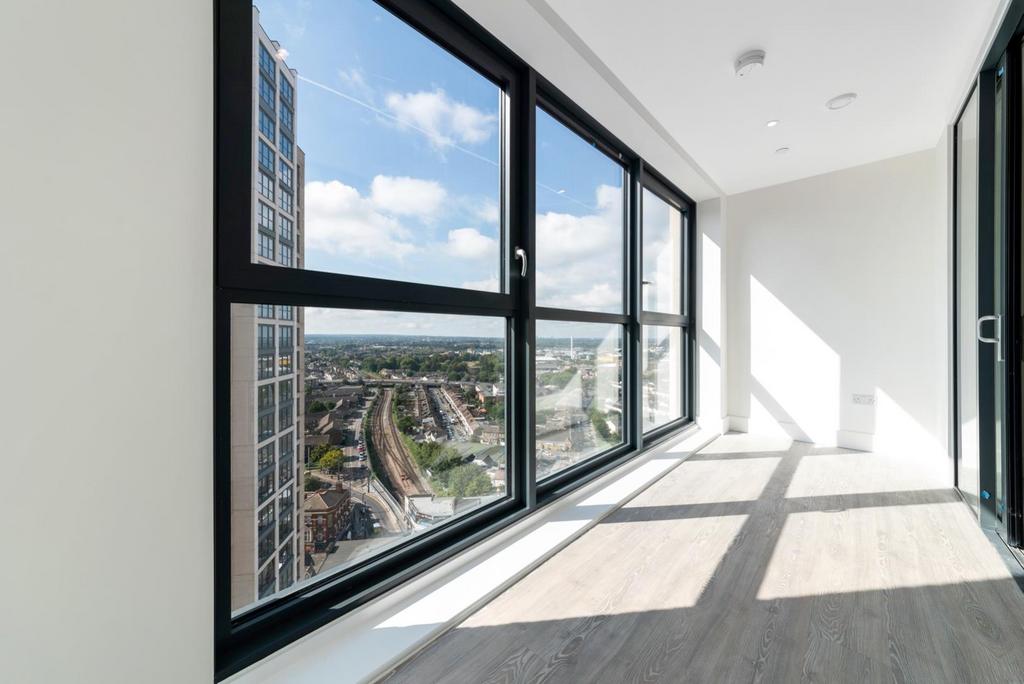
(403, 181)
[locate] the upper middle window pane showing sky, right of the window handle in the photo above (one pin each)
(580, 223)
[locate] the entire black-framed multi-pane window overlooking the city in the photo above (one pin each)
(409, 354)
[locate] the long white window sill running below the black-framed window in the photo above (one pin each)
(375, 638)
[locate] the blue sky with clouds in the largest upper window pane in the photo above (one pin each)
(402, 142)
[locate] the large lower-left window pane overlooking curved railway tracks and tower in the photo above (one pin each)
(396, 423)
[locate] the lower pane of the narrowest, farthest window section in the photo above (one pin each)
(662, 375)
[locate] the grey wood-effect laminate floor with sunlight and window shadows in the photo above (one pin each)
(757, 561)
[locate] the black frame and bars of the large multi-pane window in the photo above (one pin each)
(245, 639)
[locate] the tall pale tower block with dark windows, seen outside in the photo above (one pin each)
(268, 350)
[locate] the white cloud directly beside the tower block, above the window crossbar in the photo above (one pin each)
(339, 221)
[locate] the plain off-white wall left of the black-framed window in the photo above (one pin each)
(107, 281)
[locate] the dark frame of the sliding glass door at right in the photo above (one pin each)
(1000, 199)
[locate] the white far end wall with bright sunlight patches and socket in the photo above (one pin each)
(838, 285)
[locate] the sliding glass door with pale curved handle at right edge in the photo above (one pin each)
(986, 207)
